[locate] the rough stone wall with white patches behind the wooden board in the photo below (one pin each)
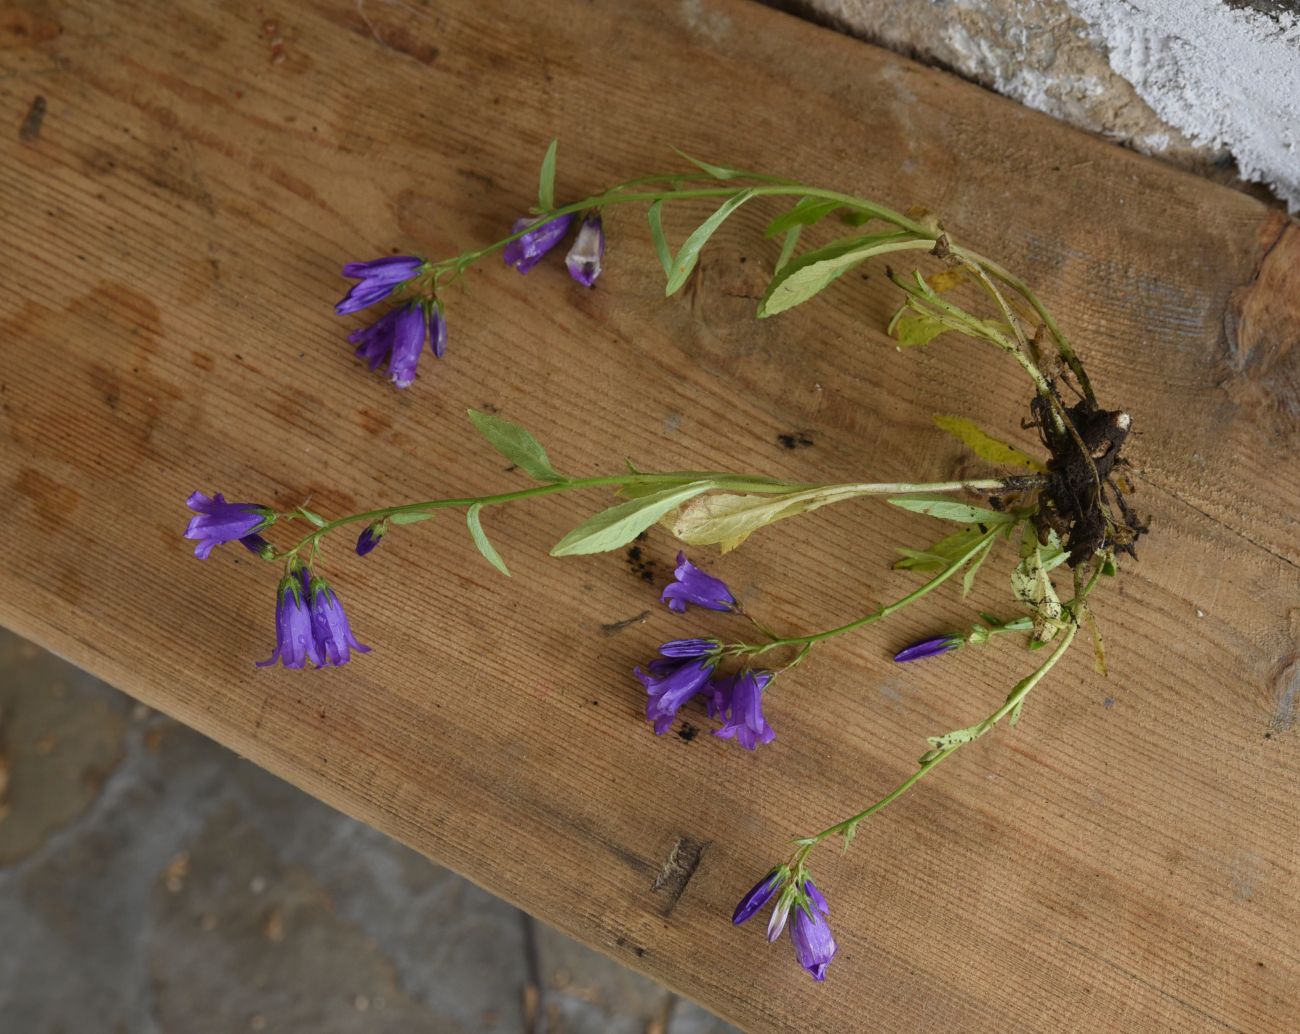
(1204, 84)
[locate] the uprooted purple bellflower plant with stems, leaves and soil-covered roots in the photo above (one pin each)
(1060, 518)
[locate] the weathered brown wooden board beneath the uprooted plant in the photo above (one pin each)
(180, 183)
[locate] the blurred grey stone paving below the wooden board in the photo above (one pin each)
(151, 882)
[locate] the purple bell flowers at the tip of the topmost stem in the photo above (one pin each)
(400, 335)
